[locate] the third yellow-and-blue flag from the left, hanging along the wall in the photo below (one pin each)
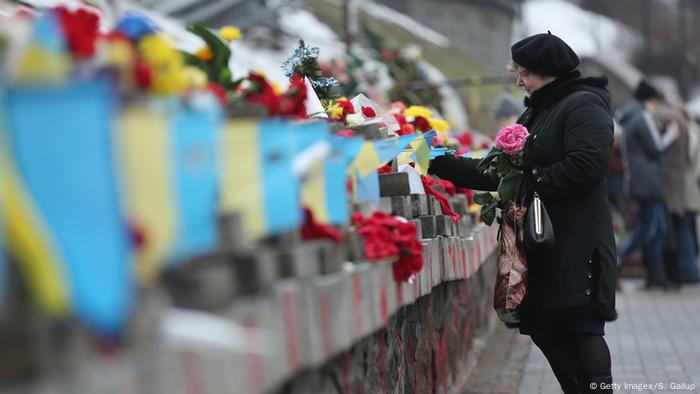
(257, 176)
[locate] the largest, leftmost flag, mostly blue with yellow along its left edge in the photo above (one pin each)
(64, 215)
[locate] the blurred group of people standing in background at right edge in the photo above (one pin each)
(654, 188)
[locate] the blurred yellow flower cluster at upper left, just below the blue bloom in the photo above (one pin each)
(166, 64)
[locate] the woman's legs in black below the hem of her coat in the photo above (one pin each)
(581, 362)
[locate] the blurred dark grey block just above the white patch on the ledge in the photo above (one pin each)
(207, 282)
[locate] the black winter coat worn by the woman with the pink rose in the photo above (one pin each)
(572, 128)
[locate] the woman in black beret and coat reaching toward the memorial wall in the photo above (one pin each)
(571, 287)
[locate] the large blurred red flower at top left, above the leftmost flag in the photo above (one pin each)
(81, 29)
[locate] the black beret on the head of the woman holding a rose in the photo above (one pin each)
(544, 54)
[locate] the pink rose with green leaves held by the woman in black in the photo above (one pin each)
(506, 161)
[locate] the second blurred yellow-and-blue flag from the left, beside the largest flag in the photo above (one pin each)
(169, 171)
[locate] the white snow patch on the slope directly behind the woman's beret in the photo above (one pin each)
(586, 32)
